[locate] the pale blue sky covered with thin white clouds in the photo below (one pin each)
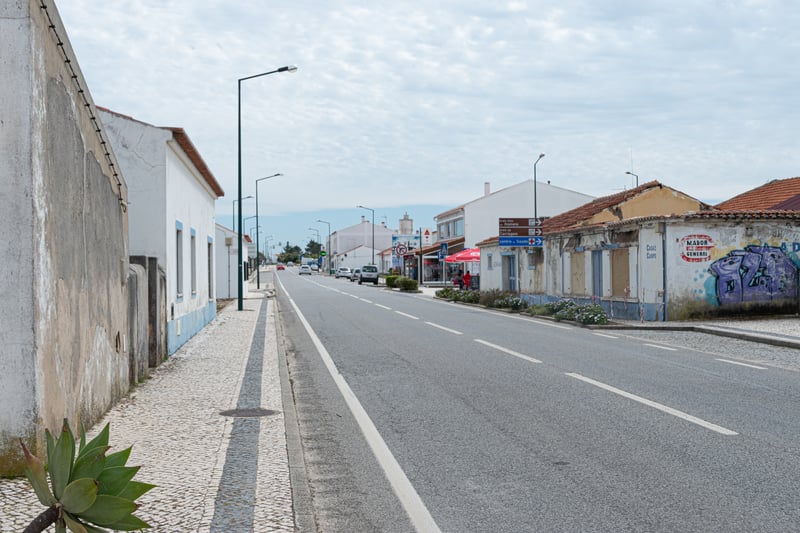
(413, 105)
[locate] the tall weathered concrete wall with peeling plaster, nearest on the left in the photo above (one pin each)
(63, 290)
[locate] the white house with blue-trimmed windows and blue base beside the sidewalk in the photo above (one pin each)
(171, 214)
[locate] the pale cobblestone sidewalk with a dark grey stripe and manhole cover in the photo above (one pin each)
(189, 449)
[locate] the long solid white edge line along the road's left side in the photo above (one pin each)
(412, 503)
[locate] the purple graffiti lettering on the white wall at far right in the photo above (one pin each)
(754, 274)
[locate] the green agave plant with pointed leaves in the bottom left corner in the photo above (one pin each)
(87, 492)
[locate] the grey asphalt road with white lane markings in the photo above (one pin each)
(488, 421)
